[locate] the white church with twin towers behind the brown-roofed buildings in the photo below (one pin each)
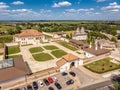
(80, 34)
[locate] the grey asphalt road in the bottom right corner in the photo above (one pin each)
(106, 85)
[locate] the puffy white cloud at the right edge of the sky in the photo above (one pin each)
(113, 7)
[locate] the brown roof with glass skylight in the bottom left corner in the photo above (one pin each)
(14, 68)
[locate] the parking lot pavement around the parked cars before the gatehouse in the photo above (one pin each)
(61, 79)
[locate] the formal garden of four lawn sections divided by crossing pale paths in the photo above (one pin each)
(46, 53)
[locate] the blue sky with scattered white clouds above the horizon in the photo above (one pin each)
(59, 9)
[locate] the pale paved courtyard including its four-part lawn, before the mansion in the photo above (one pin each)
(42, 56)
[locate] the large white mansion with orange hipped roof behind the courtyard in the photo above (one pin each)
(29, 36)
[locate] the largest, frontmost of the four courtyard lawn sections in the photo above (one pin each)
(42, 57)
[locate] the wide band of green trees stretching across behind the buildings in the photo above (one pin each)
(108, 27)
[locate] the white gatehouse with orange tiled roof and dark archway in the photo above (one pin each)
(68, 61)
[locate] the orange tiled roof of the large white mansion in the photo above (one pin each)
(28, 32)
